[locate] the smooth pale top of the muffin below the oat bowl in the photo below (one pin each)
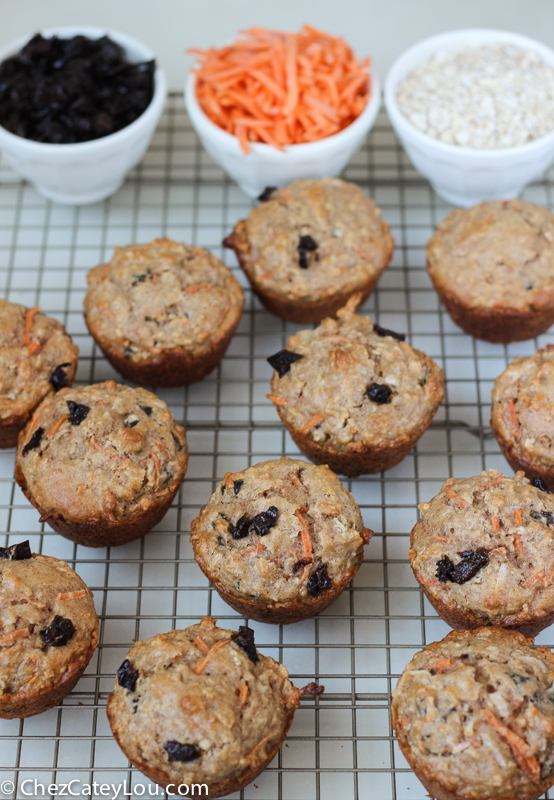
(497, 253)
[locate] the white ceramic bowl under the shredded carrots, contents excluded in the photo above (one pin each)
(267, 166)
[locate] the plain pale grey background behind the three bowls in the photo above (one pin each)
(382, 28)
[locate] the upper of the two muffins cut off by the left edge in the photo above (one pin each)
(37, 357)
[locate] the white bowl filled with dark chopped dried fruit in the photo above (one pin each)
(78, 107)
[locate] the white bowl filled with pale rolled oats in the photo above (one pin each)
(474, 110)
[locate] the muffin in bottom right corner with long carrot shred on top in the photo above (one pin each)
(474, 716)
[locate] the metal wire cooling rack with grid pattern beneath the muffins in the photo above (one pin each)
(340, 746)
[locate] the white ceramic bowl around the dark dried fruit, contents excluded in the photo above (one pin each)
(85, 172)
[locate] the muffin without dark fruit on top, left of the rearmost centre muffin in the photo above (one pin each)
(163, 313)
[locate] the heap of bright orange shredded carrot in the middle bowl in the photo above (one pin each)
(282, 88)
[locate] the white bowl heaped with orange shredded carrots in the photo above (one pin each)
(273, 107)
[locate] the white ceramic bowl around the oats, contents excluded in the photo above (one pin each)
(465, 175)
